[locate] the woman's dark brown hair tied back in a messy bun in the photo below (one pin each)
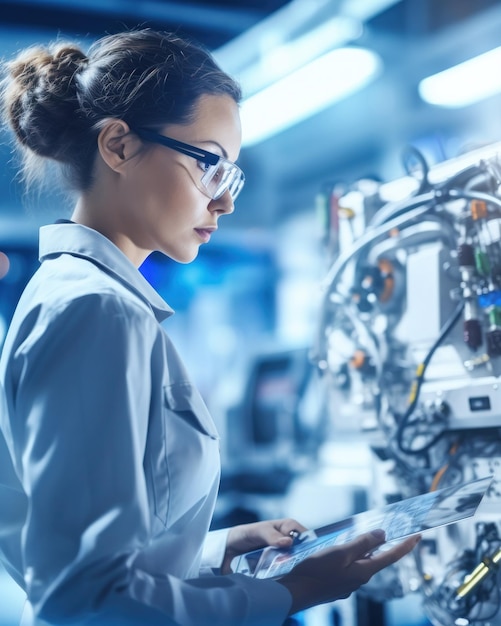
(55, 98)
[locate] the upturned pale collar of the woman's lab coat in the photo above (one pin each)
(79, 240)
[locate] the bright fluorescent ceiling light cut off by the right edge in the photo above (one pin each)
(466, 83)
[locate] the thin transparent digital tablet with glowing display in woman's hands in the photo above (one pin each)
(399, 520)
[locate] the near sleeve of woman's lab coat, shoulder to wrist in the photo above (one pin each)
(82, 392)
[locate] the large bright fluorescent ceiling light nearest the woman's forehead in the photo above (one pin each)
(307, 91)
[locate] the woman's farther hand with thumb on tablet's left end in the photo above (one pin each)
(247, 537)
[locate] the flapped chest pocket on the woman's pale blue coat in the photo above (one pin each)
(191, 454)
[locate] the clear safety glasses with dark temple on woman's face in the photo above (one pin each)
(218, 176)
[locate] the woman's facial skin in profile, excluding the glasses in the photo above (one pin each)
(162, 204)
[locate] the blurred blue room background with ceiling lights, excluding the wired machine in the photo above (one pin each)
(248, 309)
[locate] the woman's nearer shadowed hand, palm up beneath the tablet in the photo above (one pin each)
(336, 572)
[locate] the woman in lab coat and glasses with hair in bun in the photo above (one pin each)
(113, 469)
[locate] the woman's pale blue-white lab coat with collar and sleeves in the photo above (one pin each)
(110, 483)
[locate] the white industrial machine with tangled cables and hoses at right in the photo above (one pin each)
(409, 348)
